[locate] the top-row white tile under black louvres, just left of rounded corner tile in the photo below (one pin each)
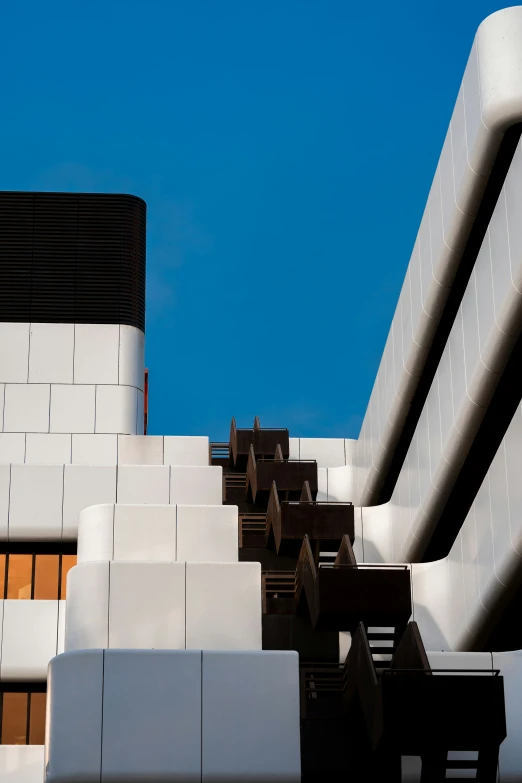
(96, 353)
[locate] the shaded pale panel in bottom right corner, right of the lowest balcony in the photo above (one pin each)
(510, 758)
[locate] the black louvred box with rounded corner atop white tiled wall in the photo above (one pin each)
(72, 258)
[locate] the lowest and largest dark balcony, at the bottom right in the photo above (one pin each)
(410, 709)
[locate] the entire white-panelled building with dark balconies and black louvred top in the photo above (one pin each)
(168, 613)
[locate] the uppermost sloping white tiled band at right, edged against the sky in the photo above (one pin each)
(489, 100)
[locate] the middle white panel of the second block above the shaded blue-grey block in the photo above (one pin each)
(144, 533)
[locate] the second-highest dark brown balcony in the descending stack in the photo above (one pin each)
(289, 476)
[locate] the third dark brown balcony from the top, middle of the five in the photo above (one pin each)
(288, 522)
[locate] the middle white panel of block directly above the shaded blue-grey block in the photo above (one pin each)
(147, 606)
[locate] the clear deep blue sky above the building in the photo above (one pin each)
(285, 149)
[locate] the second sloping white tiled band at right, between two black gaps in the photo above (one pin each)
(485, 330)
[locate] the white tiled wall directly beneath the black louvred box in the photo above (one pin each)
(64, 378)
